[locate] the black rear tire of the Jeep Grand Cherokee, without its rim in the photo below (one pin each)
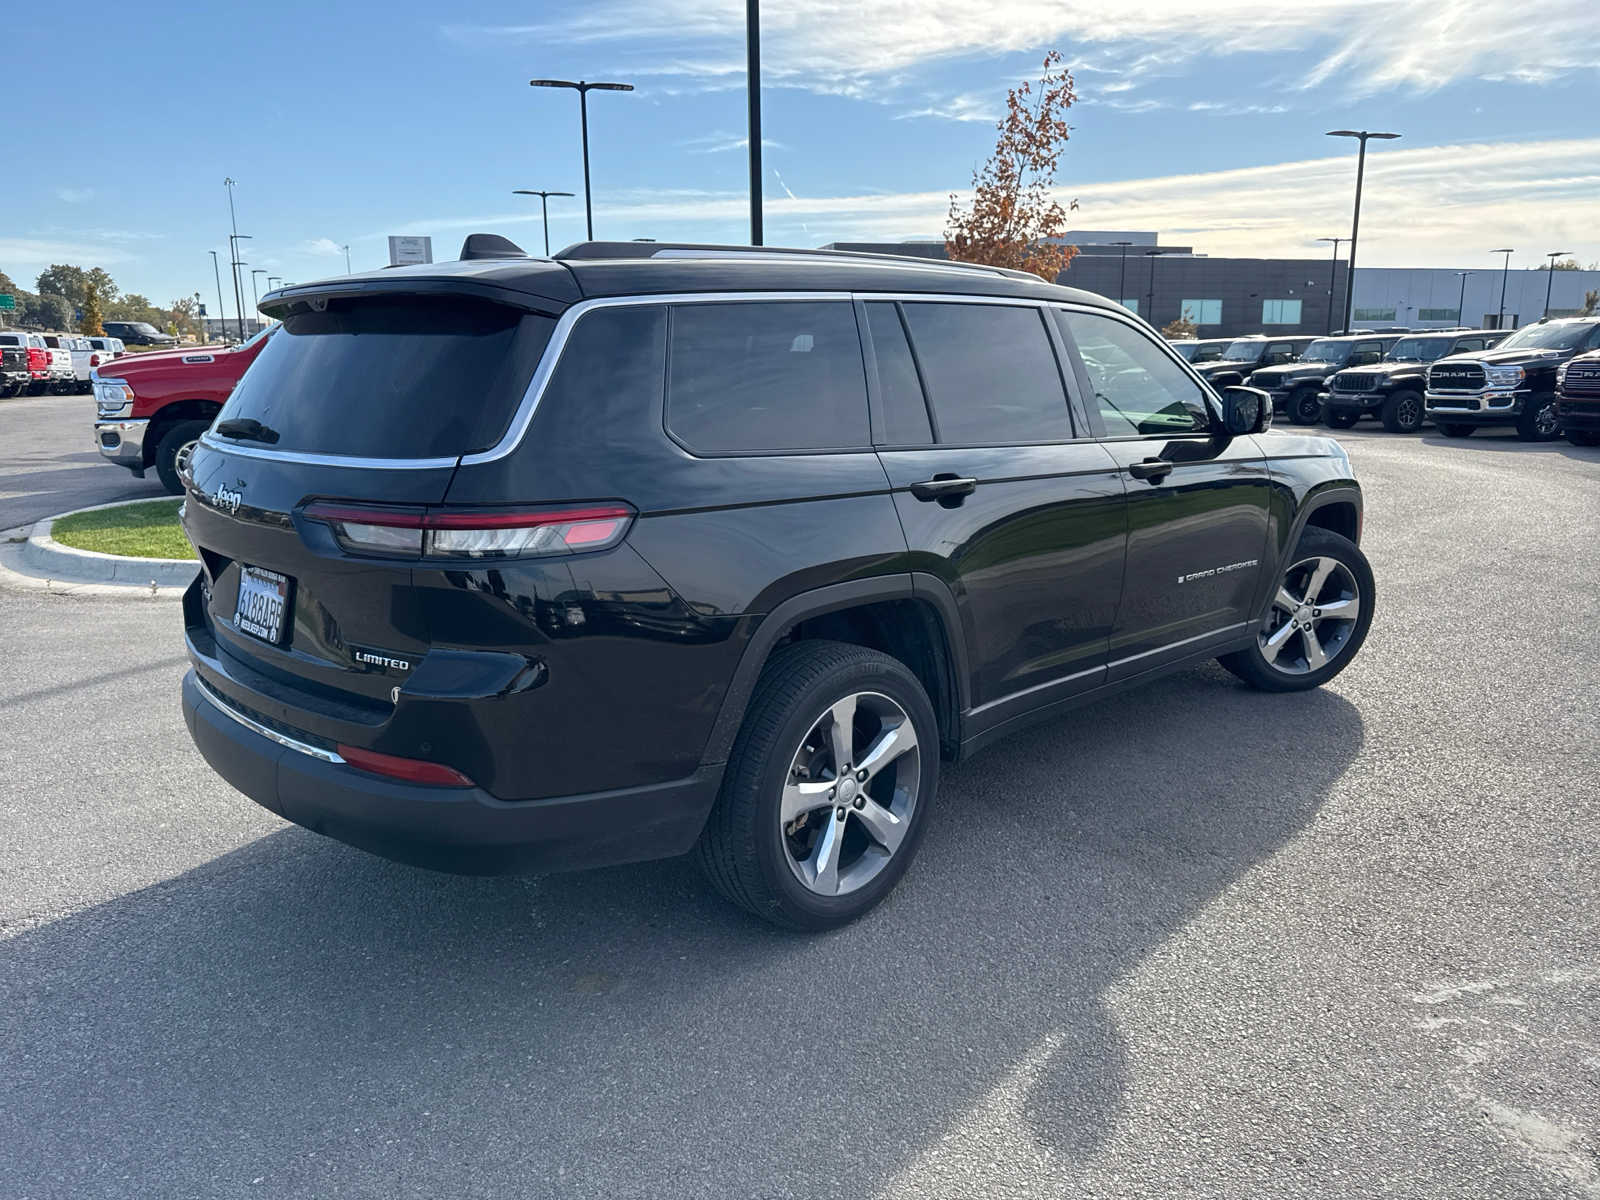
(745, 849)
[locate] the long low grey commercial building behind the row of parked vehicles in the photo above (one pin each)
(1228, 297)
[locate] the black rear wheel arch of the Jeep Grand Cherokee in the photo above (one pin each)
(910, 617)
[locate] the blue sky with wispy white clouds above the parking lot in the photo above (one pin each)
(350, 121)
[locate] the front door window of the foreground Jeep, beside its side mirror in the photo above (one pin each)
(1137, 386)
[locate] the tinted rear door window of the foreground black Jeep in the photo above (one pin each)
(991, 374)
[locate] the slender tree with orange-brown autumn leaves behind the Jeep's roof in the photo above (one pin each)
(1014, 218)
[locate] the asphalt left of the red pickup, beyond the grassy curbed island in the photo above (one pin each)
(49, 463)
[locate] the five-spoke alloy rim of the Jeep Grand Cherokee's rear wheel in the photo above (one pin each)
(850, 794)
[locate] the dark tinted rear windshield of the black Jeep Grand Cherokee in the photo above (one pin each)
(391, 378)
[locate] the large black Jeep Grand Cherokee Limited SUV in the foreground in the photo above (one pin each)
(537, 564)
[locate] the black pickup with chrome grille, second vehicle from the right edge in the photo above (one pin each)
(1513, 385)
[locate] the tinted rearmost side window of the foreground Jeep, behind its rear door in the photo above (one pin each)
(767, 375)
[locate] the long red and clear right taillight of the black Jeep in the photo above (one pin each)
(473, 534)
